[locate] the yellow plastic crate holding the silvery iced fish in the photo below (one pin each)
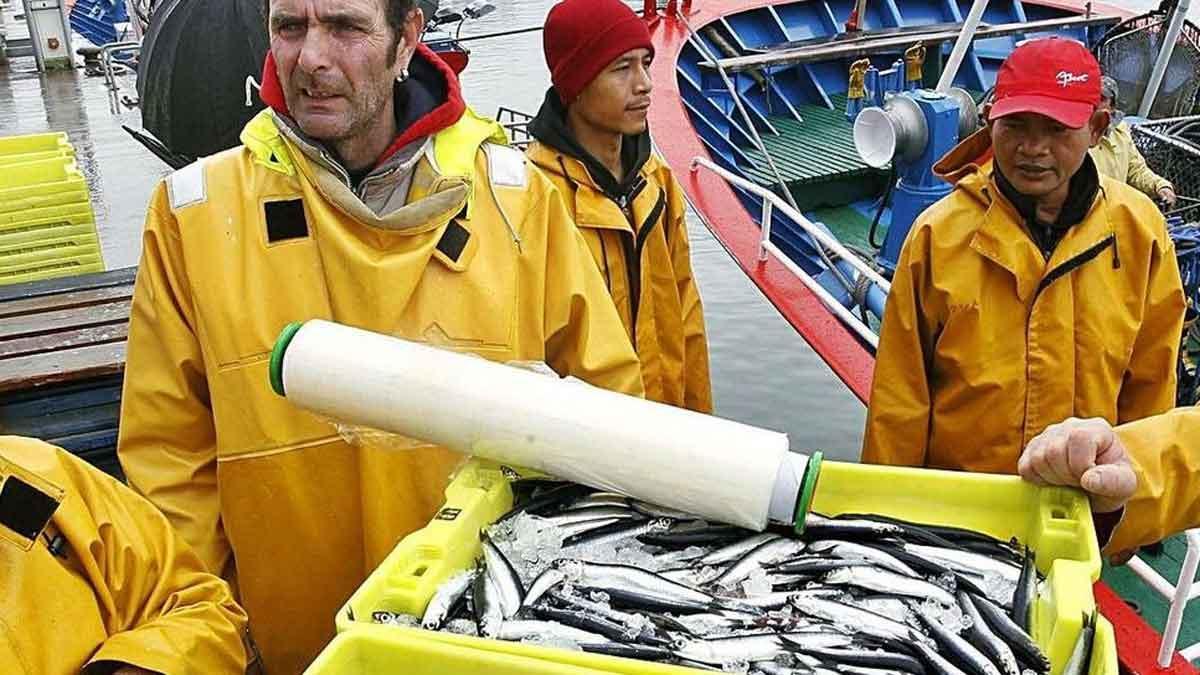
(1054, 522)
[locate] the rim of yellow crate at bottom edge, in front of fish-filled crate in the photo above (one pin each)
(385, 650)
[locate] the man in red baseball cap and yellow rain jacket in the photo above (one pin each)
(1035, 292)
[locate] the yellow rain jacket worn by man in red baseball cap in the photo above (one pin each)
(985, 343)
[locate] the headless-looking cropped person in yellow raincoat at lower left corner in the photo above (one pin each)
(94, 580)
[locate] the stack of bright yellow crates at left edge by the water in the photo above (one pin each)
(47, 224)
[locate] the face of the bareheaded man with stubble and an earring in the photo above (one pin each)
(338, 62)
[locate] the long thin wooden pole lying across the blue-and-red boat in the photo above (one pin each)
(869, 44)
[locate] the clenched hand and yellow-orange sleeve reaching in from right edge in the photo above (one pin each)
(1142, 476)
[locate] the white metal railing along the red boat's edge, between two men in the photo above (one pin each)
(771, 201)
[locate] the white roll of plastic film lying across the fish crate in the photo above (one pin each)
(713, 468)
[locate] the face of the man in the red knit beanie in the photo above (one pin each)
(620, 98)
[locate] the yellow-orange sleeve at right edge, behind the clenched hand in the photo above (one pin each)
(1166, 452)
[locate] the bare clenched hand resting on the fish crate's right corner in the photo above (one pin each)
(1082, 453)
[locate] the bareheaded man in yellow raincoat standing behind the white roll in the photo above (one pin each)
(368, 195)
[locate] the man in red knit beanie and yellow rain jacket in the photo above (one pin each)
(593, 144)
